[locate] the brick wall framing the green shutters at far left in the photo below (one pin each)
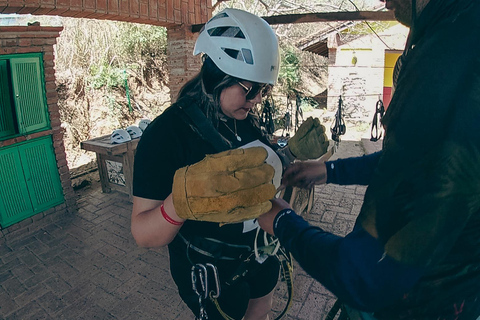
(30, 39)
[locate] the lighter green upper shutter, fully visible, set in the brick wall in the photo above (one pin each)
(29, 94)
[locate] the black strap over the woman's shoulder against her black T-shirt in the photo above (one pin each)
(195, 117)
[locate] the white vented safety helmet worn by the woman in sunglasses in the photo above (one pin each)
(242, 45)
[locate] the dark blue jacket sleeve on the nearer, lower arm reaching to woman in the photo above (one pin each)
(354, 268)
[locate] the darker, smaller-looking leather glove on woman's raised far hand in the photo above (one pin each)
(310, 141)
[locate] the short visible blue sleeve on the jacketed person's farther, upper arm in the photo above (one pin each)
(355, 170)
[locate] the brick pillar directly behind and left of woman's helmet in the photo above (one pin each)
(182, 65)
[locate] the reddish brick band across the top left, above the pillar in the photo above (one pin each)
(162, 13)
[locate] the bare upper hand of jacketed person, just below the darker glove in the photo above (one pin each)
(305, 174)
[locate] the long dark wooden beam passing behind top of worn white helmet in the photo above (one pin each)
(323, 17)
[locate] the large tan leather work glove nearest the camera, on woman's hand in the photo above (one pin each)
(227, 187)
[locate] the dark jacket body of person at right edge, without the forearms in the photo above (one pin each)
(423, 202)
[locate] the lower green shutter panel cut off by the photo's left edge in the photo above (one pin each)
(15, 202)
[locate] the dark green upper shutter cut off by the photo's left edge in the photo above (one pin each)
(7, 126)
